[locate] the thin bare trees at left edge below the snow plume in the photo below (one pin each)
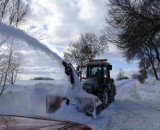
(9, 66)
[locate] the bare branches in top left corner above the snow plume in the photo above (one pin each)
(14, 12)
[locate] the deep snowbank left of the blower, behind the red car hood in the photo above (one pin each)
(30, 100)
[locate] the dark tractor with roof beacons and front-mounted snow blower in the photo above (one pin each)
(91, 90)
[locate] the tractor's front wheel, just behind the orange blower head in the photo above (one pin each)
(105, 99)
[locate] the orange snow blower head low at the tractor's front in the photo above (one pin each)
(89, 106)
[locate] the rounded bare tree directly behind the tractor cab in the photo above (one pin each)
(87, 47)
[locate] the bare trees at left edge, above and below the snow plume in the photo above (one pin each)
(14, 13)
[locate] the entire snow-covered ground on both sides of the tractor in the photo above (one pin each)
(136, 107)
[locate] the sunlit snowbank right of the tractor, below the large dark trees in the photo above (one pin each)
(134, 91)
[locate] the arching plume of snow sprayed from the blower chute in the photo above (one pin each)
(19, 34)
